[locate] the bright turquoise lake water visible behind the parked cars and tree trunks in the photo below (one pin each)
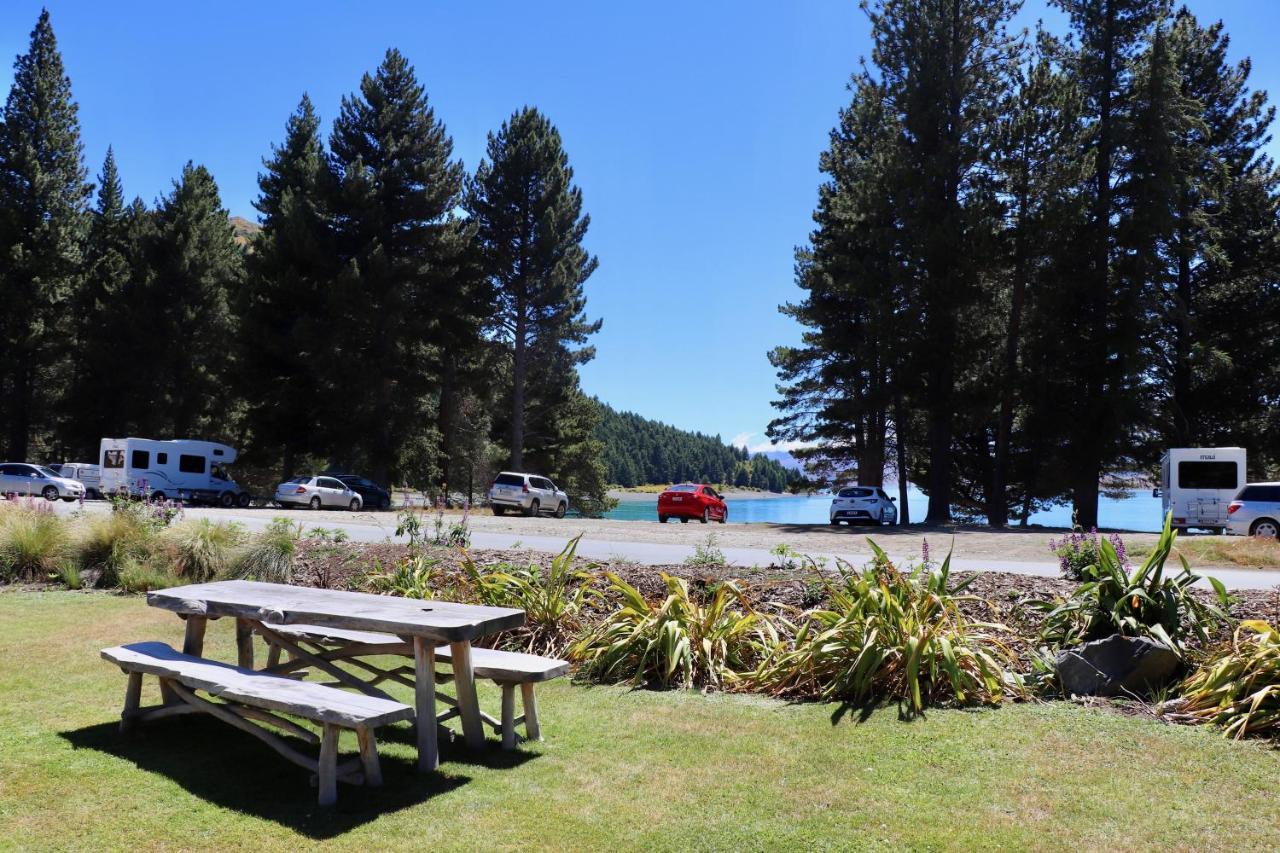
(1139, 512)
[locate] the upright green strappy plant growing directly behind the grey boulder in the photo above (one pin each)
(1149, 603)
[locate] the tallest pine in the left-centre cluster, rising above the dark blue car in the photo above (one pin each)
(405, 289)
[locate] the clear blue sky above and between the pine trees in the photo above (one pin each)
(694, 130)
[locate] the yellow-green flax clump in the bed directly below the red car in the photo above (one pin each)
(678, 642)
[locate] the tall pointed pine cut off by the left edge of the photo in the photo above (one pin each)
(44, 222)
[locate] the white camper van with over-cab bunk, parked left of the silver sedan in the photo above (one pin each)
(179, 471)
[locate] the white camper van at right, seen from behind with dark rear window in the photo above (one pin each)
(1199, 483)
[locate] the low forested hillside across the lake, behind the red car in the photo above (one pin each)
(639, 451)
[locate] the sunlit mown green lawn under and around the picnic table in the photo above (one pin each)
(620, 769)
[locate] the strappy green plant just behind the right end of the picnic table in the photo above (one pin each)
(552, 601)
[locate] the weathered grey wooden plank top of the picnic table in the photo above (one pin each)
(285, 605)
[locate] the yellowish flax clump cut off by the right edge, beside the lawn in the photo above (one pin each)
(1238, 692)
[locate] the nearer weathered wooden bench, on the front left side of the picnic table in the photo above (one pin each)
(249, 699)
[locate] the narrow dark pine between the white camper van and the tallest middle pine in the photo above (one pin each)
(287, 314)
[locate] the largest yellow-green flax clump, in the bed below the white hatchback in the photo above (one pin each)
(892, 636)
